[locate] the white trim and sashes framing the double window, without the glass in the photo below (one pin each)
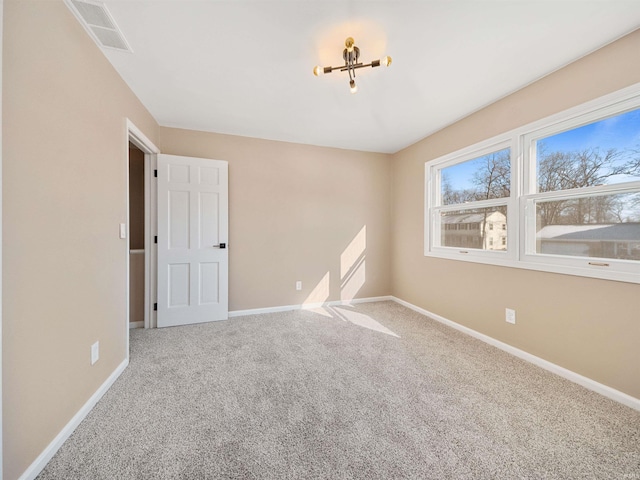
(519, 253)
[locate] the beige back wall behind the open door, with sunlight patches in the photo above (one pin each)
(294, 212)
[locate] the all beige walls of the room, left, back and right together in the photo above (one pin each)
(339, 221)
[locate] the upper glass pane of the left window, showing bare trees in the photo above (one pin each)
(481, 178)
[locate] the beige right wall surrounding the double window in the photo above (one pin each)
(589, 326)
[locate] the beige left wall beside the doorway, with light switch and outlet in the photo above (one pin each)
(64, 194)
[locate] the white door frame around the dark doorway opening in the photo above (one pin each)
(140, 140)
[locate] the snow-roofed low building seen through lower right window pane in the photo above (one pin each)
(620, 240)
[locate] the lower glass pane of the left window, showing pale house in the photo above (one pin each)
(480, 228)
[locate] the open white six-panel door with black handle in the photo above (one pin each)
(193, 219)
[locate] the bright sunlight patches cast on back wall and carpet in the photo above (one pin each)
(352, 279)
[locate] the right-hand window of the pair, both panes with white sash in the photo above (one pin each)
(584, 191)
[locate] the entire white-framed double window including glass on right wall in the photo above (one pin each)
(560, 195)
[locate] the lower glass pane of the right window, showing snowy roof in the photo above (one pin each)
(606, 226)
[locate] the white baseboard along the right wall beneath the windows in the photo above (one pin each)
(586, 382)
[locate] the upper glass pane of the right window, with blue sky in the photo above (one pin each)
(603, 152)
